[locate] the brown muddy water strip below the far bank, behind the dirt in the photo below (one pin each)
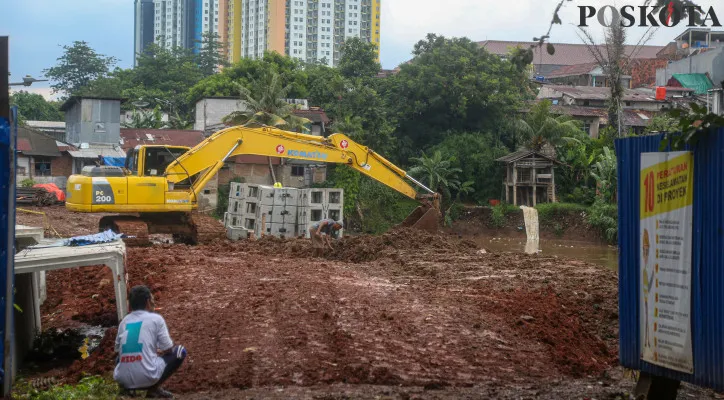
(601, 254)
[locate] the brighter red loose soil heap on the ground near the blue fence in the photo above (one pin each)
(542, 315)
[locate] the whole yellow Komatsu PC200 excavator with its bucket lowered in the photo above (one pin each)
(158, 189)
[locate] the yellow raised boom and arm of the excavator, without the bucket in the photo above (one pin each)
(209, 156)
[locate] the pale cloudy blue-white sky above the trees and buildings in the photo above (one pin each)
(38, 28)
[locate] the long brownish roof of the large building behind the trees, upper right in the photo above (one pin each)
(566, 53)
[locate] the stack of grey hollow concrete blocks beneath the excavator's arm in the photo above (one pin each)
(285, 212)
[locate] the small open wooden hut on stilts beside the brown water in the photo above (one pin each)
(529, 178)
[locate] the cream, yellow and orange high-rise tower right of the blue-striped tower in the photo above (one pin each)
(310, 30)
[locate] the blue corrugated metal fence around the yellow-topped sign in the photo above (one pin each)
(707, 259)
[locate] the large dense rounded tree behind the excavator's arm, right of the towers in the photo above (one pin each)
(451, 85)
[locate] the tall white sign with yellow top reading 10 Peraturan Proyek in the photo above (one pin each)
(665, 241)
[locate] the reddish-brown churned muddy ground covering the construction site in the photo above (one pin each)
(402, 315)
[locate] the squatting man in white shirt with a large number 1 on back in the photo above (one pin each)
(147, 356)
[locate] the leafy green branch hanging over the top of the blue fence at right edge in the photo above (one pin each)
(693, 125)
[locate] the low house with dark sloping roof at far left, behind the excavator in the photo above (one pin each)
(40, 159)
